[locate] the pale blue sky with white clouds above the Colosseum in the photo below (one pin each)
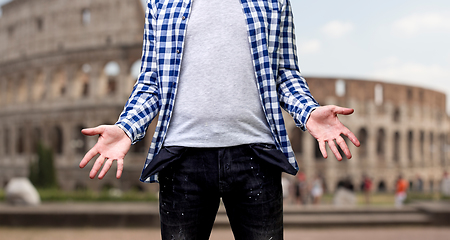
(398, 41)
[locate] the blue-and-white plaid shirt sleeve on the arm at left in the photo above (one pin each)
(144, 102)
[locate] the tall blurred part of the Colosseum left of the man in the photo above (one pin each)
(66, 65)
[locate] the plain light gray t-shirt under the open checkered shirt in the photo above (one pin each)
(217, 102)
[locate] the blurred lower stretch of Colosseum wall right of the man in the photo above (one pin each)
(403, 130)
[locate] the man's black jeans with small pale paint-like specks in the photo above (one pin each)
(191, 188)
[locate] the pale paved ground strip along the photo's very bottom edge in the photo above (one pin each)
(405, 233)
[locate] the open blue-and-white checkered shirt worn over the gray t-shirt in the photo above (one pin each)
(272, 42)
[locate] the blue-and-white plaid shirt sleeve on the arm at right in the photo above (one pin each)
(293, 90)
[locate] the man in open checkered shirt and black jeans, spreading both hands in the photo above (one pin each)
(218, 73)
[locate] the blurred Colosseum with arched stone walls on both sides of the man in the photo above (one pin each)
(66, 65)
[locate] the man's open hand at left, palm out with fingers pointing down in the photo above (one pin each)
(113, 144)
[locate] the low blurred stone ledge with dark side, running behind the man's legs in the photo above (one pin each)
(147, 215)
